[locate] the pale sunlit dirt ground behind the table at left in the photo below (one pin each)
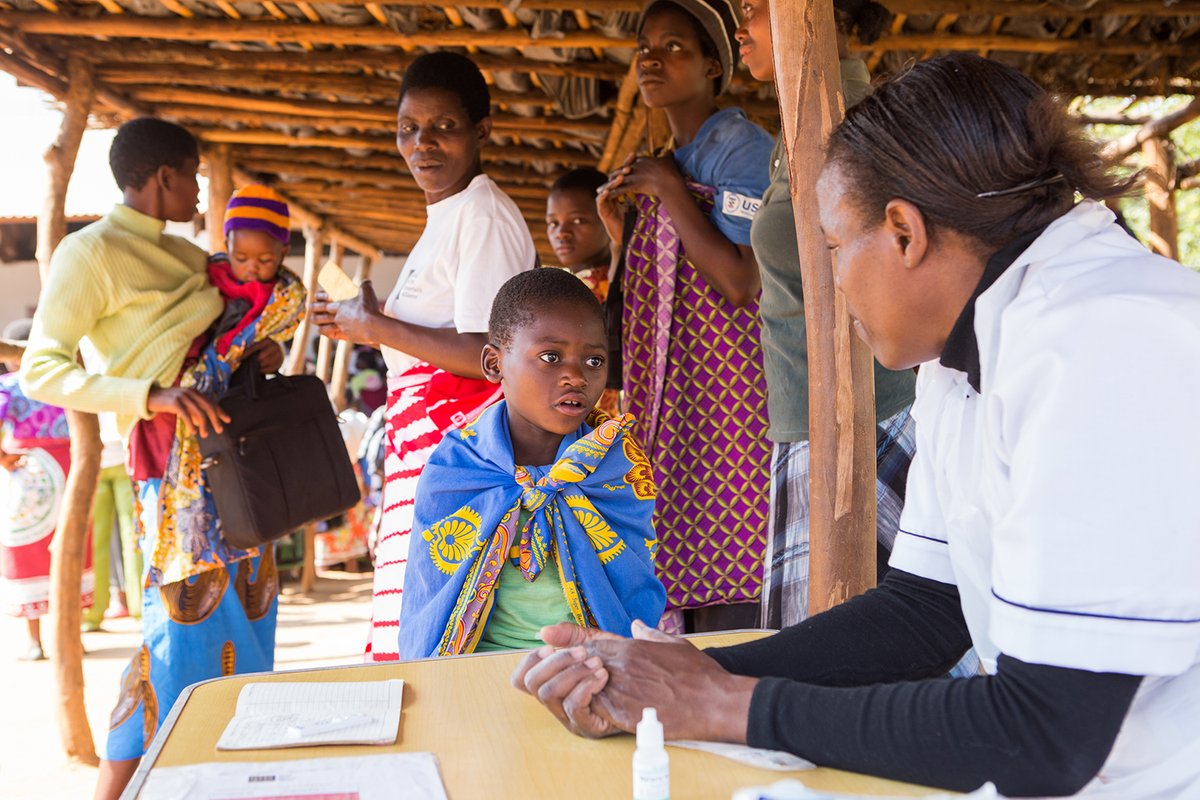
(325, 629)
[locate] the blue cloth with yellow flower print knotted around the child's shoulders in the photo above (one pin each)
(591, 513)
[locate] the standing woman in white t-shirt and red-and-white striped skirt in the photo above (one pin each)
(434, 327)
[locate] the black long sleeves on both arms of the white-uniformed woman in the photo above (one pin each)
(861, 688)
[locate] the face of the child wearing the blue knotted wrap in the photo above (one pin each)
(554, 372)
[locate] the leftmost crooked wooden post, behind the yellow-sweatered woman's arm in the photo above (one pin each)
(68, 550)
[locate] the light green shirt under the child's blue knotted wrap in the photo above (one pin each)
(521, 609)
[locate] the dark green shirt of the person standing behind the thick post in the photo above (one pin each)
(785, 351)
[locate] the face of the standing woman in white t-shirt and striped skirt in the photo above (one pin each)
(439, 142)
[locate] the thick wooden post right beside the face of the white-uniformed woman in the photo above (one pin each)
(842, 389)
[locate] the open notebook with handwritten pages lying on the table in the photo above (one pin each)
(304, 714)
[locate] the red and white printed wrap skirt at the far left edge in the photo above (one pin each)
(31, 498)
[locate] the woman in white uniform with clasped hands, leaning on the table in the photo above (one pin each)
(1051, 519)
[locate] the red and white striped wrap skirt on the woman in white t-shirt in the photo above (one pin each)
(424, 405)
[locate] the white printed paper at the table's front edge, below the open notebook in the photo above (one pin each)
(413, 777)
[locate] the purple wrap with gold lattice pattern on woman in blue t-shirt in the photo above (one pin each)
(694, 378)
